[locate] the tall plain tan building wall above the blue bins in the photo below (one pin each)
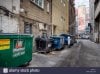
(60, 17)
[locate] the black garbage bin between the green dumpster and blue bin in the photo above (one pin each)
(43, 44)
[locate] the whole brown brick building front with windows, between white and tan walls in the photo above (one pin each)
(36, 16)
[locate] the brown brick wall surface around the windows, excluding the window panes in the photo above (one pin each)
(35, 14)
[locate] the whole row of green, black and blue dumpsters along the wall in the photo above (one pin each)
(16, 49)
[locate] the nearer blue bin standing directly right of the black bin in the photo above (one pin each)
(57, 42)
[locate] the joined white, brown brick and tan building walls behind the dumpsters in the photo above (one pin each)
(35, 16)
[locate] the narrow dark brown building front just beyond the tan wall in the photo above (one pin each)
(72, 17)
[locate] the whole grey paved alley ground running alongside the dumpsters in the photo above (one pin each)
(83, 54)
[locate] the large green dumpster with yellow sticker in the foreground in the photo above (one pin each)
(15, 49)
